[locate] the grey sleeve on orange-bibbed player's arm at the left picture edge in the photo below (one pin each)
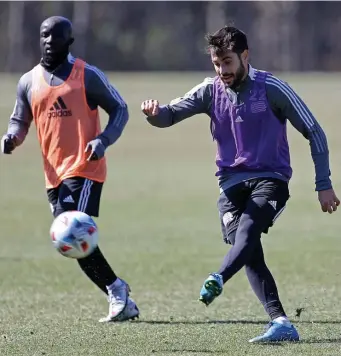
(21, 118)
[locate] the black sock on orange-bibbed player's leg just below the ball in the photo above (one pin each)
(96, 267)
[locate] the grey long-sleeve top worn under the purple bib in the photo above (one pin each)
(285, 104)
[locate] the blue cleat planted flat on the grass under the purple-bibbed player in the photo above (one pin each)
(277, 332)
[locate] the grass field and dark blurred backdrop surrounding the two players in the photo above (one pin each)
(159, 225)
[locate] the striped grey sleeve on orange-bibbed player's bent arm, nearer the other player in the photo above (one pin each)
(101, 93)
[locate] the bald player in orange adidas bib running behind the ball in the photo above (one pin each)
(62, 95)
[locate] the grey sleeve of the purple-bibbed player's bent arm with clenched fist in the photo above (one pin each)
(196, 101)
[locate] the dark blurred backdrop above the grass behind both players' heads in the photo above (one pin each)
(169, 35)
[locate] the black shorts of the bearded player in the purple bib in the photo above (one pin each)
(264, 197)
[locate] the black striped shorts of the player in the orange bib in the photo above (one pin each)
(76, 193)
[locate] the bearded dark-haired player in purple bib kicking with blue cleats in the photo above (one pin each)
(249, 110)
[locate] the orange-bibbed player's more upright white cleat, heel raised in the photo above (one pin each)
(118, 294)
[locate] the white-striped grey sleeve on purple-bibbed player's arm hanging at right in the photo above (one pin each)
(287, 104)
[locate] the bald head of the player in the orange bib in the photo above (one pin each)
(55, 39)
